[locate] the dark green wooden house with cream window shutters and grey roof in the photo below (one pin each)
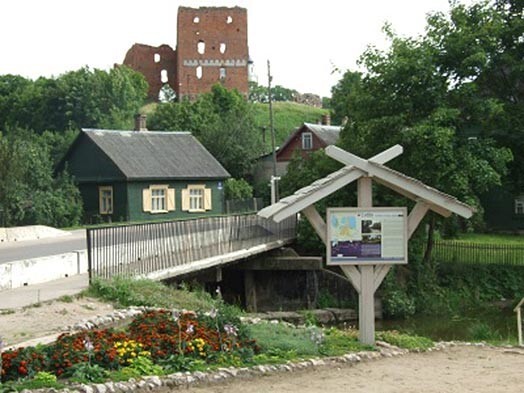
(144, 175)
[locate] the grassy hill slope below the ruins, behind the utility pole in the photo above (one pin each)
(286, 117)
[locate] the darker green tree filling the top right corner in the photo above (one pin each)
(480, 49)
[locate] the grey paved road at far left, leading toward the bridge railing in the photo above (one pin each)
(15, 251)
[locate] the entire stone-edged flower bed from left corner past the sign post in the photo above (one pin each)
(163, 342)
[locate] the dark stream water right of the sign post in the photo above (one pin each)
(473, 325)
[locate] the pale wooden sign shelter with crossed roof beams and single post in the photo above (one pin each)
(366, 278)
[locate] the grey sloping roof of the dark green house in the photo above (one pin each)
(157, 154)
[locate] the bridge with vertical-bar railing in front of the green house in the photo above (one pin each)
(169, 249)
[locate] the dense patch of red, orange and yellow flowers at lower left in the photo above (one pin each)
(172, 339)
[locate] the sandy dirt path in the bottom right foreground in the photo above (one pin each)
(457, 370)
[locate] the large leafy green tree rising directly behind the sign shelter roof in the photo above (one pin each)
(408, 95)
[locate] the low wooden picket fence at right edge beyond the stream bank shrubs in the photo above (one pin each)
(449, 251)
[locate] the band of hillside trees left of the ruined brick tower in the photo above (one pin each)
(83, 98)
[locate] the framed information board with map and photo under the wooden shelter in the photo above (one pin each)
(367, 235)
